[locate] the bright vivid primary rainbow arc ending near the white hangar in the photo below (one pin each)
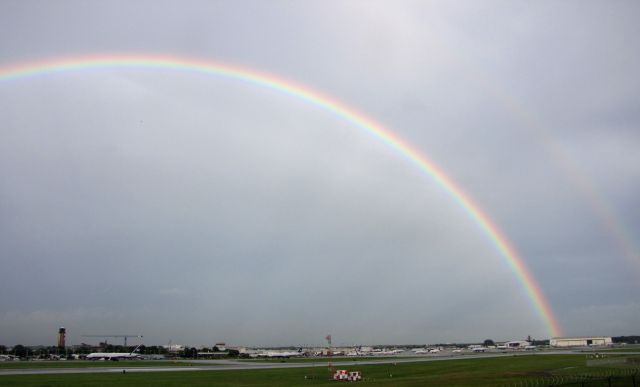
(482, 220)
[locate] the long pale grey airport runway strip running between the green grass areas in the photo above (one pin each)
(227, 365)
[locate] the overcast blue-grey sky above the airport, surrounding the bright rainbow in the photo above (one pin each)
(198, 209)
